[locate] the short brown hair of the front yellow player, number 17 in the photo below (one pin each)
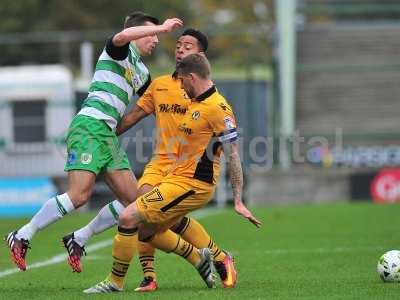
(194, 63)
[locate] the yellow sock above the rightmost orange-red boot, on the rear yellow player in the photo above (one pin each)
(193, 232)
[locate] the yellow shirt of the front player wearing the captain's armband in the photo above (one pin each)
(208, 122)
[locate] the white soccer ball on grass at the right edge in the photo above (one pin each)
(389, 266)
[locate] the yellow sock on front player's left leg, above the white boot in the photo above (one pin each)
(124, 247)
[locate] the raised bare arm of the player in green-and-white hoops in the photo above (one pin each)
(133, 33)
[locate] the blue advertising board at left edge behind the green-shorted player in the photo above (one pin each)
(24, 196)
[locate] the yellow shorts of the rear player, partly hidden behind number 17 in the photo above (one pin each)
(156, 170)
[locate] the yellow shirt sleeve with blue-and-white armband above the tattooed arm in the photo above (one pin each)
(224, 124)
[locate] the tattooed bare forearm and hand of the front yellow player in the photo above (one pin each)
(236, 177)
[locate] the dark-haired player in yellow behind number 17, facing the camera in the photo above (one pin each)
(167, 101)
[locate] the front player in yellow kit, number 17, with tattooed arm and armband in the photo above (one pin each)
(207, 129)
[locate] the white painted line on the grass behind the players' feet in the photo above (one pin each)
(95, 247)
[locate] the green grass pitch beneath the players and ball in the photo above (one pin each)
(302, 252)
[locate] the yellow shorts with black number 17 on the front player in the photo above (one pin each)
(173, 198)
